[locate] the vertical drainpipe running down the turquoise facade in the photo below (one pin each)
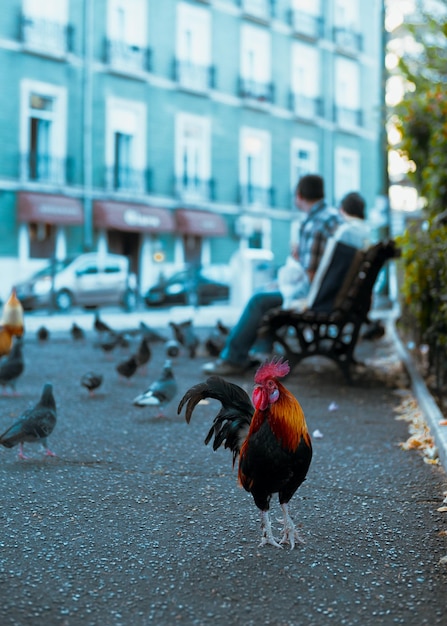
(88, 119)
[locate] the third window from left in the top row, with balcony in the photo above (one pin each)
(193, 48)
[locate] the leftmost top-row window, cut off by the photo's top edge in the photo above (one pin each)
(44, 25)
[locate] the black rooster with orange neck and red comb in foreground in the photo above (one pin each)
(271, 441)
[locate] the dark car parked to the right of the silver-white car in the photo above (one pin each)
(185, 287)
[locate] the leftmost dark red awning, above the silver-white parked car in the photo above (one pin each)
(47, 209)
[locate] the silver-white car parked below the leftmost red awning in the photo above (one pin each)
(89, 280)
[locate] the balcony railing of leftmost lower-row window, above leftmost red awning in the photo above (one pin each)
(46, 168)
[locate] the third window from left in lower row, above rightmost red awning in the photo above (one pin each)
(192, 157)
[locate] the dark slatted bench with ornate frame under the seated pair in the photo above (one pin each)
(332, 331)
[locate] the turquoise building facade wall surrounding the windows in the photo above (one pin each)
(164, 99)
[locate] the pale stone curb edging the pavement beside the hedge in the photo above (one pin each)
(424, 398)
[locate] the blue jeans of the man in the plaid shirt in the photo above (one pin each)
(243, 336)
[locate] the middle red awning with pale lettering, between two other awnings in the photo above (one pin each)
(132, 217)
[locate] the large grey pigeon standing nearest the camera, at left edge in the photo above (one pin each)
(34, 425)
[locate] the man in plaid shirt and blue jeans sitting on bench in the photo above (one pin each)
(320, 223)
